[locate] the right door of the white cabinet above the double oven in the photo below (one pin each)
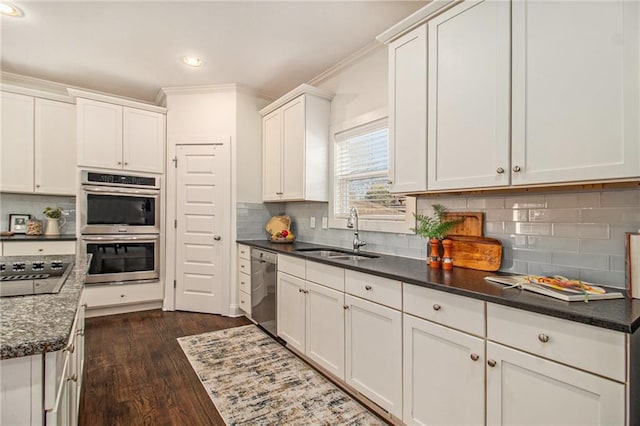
(143, 140)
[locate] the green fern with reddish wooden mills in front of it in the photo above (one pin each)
(435, 228)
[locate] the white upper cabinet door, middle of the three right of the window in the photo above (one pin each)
(469, 96)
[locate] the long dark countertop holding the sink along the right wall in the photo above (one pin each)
(618, 314)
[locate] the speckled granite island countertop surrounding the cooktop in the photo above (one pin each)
(32, 325)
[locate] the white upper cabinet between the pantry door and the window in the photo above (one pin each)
(295, 133)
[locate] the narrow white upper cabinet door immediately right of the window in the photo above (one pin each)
(408, 112)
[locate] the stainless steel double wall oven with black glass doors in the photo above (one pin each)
(120, 226)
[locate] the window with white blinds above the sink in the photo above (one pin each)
(361, 174)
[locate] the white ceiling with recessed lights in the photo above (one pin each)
(133, 49)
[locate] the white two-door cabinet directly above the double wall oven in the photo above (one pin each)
(115, 137)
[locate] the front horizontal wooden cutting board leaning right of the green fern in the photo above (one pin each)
(481, 253)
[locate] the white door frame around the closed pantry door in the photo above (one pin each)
(169, 302)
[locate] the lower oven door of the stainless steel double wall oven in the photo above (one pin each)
(120, 258)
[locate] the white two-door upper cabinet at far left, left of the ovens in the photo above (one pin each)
(38, 145)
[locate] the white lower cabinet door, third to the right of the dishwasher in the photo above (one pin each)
(373, 339)
